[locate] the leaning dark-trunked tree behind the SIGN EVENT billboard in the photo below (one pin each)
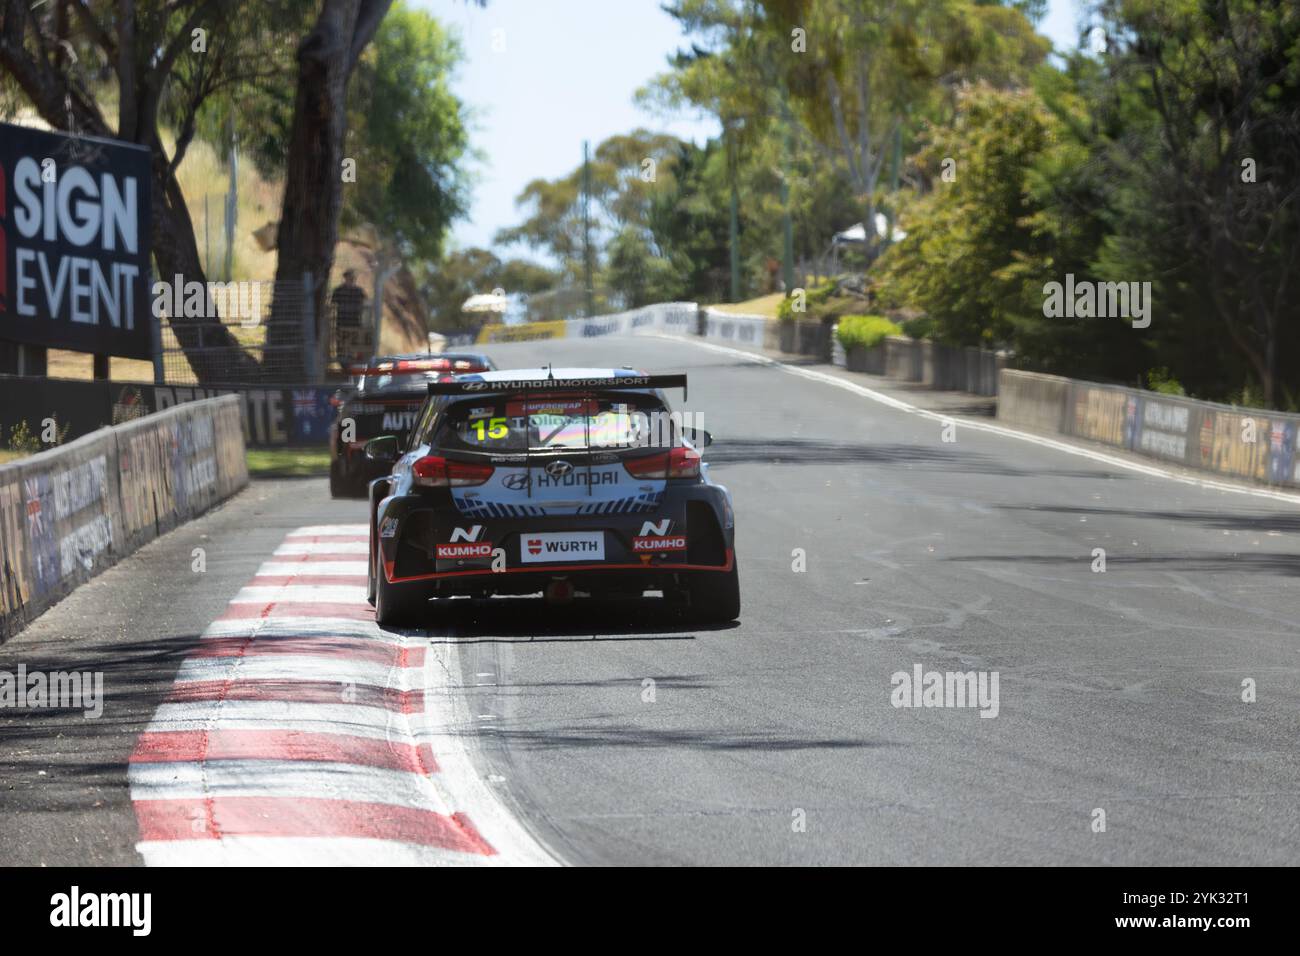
(174, 55)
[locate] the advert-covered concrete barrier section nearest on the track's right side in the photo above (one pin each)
(1237, 443)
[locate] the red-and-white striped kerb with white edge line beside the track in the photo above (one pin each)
(300, 732)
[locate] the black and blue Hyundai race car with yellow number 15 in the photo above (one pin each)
(567, 482)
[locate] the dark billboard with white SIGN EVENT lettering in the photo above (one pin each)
(75, 243)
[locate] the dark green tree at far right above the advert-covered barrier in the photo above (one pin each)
(1206, 98)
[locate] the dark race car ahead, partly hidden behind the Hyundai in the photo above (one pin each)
(385, 400)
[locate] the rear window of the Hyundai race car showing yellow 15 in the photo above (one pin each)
(557, 422)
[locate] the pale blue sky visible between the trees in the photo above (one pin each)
(543, 76)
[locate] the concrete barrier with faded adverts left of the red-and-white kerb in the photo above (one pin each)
(70, 513)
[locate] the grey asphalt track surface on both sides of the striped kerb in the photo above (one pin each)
(868, 546)
